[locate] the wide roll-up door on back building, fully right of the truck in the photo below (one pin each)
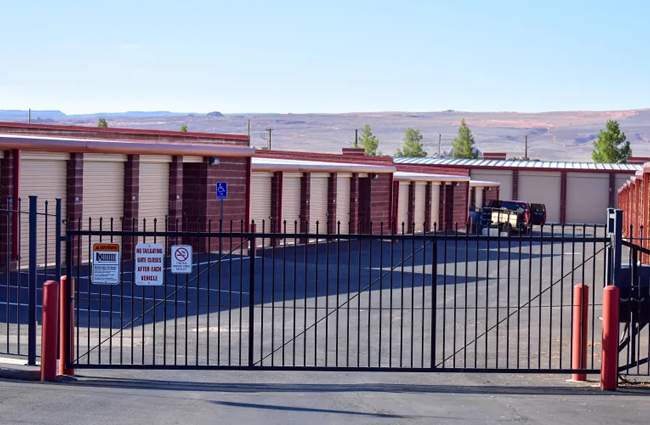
(587, 198)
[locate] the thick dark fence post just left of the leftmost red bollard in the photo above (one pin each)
(33, 247)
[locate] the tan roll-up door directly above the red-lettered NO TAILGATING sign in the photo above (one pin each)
(154, 192)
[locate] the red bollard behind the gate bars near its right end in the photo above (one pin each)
(580, 330)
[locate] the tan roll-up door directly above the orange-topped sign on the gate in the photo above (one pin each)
(103, 195)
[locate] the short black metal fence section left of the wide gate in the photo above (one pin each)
(31, 254)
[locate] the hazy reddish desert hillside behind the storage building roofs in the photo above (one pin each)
(551, 135)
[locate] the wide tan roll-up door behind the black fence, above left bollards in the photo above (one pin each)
(42, 174)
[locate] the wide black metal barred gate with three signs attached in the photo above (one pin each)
(444, 301)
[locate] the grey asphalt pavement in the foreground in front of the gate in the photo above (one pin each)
(174, 397)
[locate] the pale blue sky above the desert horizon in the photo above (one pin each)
(333, 56)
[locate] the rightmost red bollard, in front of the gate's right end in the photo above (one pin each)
(609, 357)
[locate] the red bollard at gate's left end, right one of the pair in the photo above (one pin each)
(49, 330)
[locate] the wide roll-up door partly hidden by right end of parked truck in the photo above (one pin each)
(542, 187)
